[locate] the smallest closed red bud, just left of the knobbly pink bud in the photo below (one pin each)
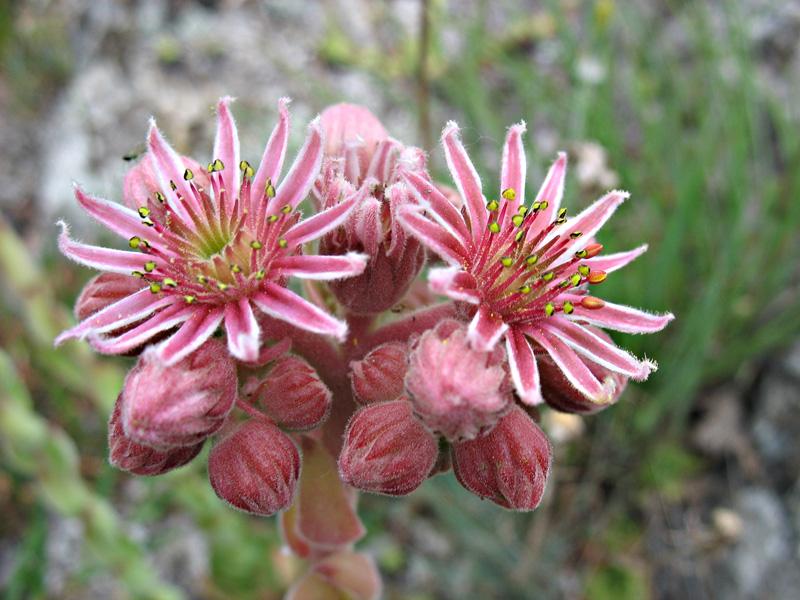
(378, 377)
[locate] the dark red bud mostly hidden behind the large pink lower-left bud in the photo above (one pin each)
(138, 459)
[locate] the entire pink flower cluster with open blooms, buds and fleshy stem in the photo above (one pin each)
(313, 395)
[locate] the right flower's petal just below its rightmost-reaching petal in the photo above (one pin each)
(596, 349)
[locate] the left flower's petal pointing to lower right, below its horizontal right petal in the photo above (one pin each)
(284, 304)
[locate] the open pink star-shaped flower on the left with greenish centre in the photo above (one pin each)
(210, 245)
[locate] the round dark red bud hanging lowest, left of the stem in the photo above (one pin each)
(255, 468)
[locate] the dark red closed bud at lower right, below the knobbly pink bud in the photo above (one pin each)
(509, 465)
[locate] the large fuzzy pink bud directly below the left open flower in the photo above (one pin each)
(182, 404)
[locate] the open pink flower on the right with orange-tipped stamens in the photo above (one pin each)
(526, 270)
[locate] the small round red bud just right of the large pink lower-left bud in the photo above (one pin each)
(293, 395)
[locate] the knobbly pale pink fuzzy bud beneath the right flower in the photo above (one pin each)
(456, 391)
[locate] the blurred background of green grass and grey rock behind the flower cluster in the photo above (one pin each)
(686, 489)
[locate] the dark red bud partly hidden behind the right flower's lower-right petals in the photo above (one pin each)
(561, 395)
